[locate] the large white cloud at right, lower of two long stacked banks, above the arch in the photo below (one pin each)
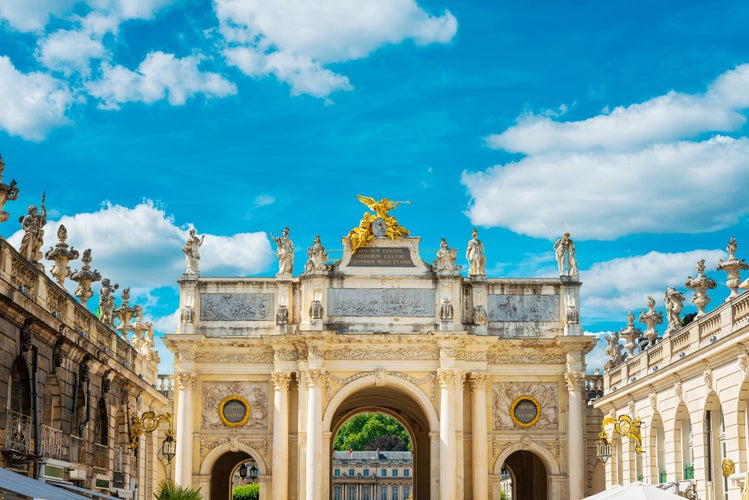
(599, 195)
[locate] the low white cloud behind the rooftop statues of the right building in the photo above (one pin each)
(621, 285)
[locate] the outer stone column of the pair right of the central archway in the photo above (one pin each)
(479, 433)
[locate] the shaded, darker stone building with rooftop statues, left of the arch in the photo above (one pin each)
(69, 382)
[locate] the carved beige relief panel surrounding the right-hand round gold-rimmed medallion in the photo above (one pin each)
(505, 393)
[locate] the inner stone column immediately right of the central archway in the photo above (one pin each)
(447, 378)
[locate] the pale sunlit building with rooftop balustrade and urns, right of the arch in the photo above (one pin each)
(689, 388)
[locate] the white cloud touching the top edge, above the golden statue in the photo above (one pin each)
(295, 39)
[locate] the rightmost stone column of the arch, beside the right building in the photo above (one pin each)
(575, 437)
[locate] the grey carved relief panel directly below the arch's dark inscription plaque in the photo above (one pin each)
(380, 302)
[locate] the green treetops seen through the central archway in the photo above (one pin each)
(372, 431)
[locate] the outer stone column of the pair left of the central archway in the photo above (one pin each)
(280, 470)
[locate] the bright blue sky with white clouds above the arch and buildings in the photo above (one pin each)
(621, 122)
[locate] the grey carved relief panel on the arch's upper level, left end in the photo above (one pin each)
(236, 306)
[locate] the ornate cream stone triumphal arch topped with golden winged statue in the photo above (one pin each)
(486, 374)
